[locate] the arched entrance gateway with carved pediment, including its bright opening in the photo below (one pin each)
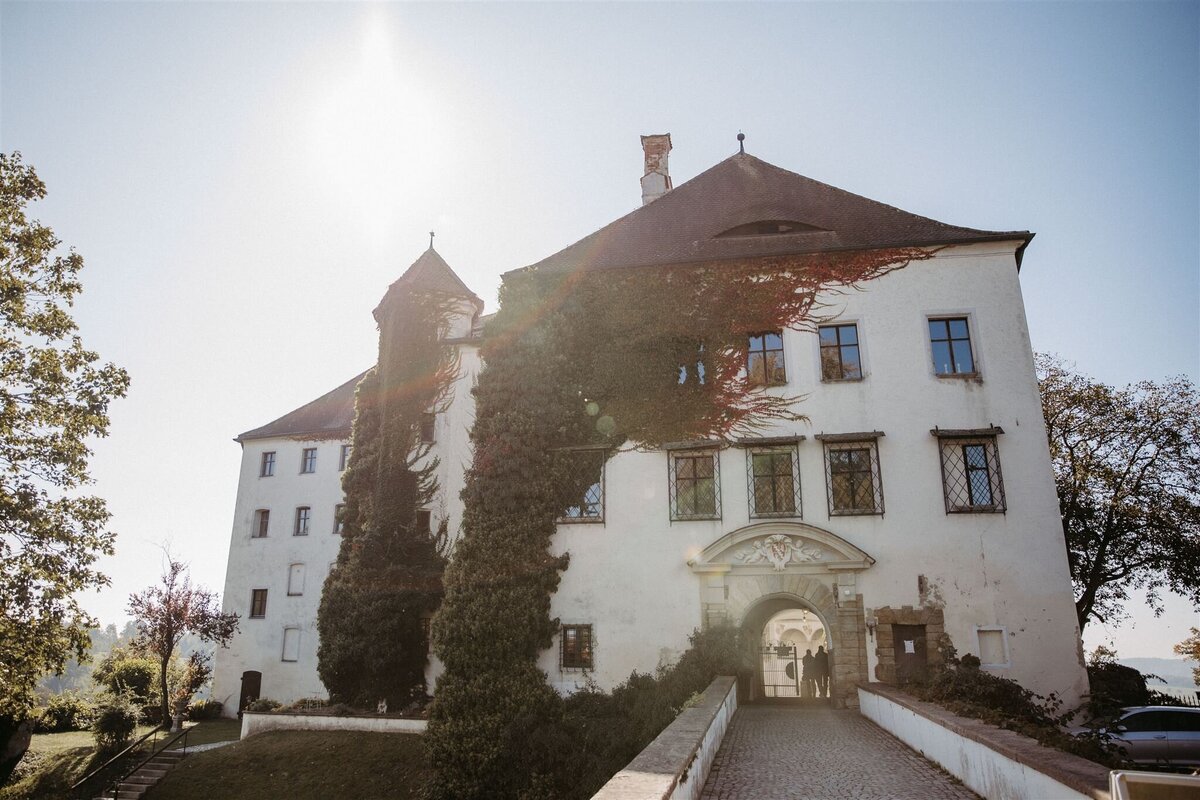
(777, 578)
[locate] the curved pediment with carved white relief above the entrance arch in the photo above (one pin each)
(779, 548)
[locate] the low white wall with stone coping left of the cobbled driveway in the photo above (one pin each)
(676, 765)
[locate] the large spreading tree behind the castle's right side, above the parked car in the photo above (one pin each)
(1127, 468)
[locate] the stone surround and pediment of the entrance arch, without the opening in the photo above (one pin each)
(790, 566)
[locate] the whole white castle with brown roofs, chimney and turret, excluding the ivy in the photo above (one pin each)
(917, 501)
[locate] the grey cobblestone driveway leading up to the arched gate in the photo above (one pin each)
(776, 753)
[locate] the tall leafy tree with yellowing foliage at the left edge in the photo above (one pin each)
(55, 398)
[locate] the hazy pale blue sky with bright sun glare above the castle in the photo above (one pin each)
(244, 182)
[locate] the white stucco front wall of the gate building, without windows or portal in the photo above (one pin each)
(631, 576)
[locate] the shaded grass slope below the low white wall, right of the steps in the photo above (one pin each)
(302, 766)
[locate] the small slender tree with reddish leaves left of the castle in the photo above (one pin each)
(167, 612)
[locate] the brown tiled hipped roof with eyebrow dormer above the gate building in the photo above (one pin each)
(687, 224)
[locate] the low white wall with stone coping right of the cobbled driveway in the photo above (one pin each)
(997, 765)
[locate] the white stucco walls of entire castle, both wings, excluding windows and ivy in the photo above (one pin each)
(631, 578)
